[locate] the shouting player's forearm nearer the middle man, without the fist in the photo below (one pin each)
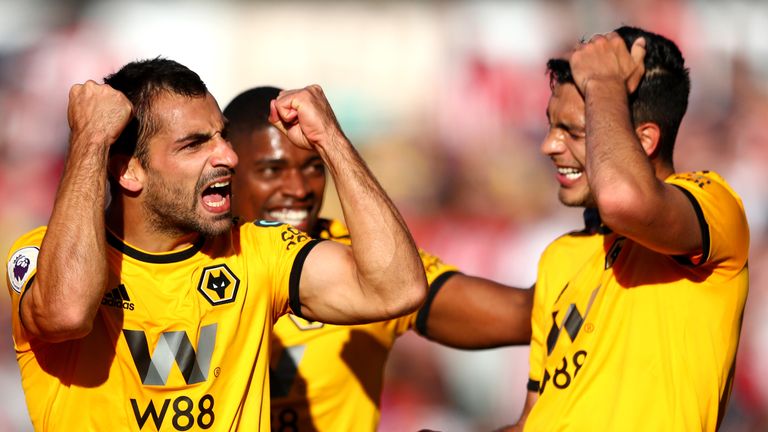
(386, 260)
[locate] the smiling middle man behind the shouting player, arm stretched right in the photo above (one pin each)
(328, 377)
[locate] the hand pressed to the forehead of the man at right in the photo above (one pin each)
(605, 58)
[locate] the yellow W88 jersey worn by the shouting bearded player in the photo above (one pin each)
(180, 341)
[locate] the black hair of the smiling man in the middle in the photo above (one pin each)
(249, 110)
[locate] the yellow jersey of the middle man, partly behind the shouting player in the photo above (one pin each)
(328, 377)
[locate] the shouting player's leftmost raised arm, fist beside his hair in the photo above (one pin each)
(71, 274)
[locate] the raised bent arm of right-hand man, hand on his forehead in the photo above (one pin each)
(631, 199)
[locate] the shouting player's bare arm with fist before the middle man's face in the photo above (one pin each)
(380, 276)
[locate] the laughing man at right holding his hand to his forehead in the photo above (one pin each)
(636, 318)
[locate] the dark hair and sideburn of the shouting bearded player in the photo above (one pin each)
(141, 82)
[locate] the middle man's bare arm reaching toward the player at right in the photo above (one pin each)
(473, 313)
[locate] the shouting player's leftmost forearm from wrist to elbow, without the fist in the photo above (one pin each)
(72, 269)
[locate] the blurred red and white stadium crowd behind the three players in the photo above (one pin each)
(446, 101)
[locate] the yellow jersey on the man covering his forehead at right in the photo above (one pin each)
(625, 338)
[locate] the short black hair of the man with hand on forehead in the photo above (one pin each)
(661, 97)
